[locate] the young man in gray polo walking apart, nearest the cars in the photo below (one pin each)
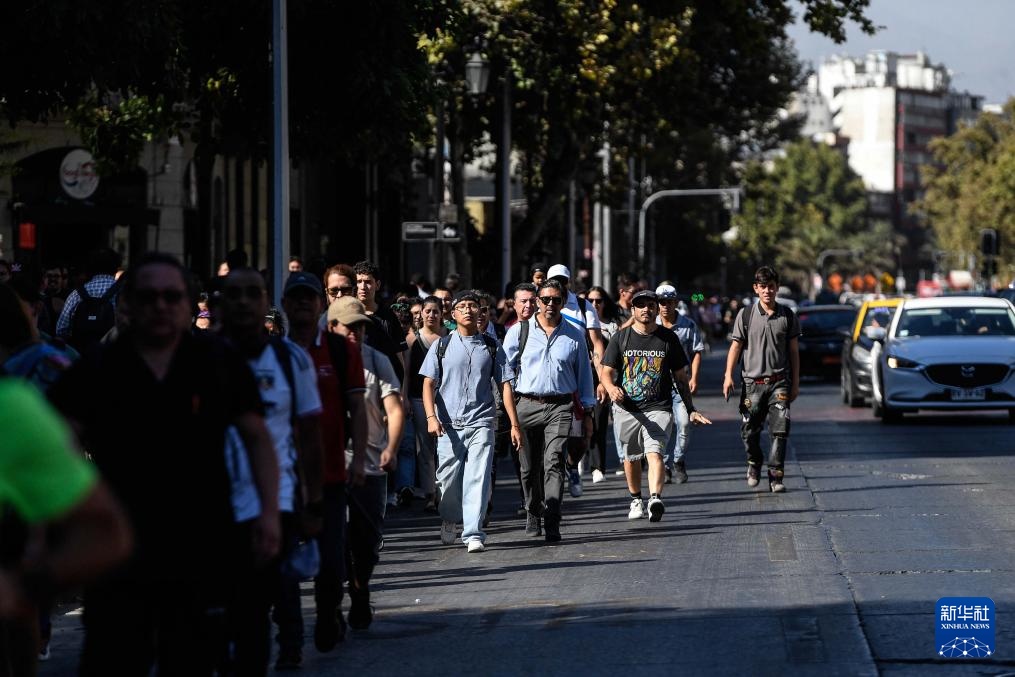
(766, 334)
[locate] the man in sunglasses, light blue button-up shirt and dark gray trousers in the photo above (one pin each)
(552, 367)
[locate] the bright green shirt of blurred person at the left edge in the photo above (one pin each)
(41, 475)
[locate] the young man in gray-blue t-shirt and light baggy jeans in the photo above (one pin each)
(458, 399)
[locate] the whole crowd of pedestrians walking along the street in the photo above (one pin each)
(231, 449)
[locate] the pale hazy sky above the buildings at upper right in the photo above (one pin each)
(974, 39)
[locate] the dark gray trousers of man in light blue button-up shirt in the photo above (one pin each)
(547, 429)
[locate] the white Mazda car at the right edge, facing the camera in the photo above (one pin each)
(946, 354)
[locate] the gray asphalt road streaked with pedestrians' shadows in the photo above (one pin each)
(839, 576)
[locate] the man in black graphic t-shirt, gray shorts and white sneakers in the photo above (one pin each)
(651, 362)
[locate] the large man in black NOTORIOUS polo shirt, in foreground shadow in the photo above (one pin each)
(153, 410)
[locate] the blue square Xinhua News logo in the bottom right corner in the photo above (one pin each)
(965, 628)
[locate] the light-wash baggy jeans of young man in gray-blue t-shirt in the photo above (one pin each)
(465, 461)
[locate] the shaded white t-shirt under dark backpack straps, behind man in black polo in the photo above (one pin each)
(278, 400)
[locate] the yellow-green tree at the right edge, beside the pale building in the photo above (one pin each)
(971, 186)
